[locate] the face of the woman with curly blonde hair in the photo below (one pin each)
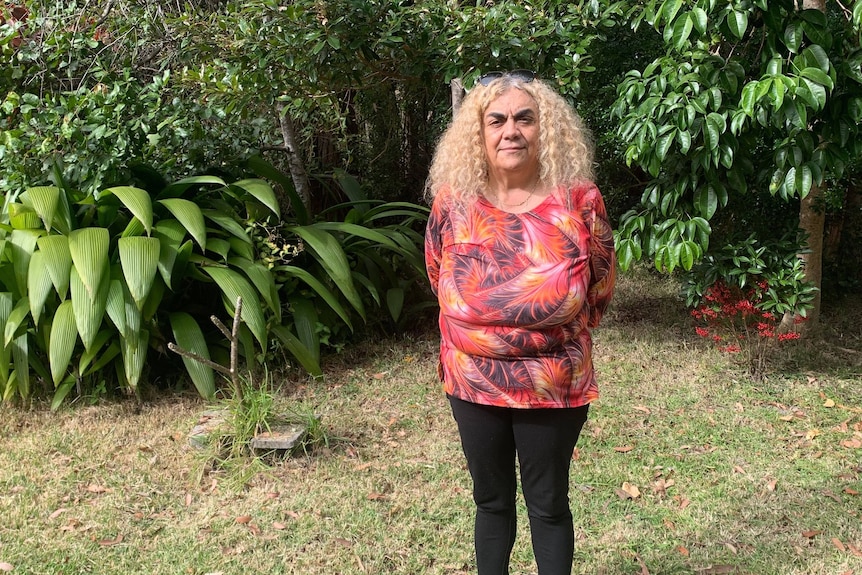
(510, 128)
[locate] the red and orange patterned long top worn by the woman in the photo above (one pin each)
(518, 295)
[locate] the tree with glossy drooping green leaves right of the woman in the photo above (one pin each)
(754, 100)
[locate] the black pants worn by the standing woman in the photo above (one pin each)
(544, 440)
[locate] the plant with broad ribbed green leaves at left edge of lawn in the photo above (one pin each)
(92, 281)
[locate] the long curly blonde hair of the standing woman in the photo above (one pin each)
(565, 145)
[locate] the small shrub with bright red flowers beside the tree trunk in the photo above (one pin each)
(737, 321)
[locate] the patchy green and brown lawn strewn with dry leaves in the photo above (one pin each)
(732, 476)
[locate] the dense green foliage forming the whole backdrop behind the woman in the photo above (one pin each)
(313, 124)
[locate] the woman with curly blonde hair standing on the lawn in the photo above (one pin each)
(520, 254)
